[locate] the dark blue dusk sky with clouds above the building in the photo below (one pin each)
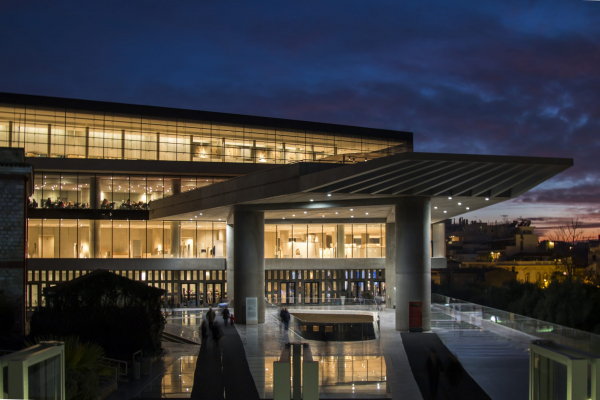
(466, 77)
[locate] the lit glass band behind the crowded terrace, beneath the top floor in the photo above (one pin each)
(67, 190)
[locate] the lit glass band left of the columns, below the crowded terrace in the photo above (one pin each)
(77, 238)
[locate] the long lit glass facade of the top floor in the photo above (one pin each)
(45, 132)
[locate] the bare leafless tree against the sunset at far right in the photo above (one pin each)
(565, 238)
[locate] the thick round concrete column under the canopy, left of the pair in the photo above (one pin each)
(248, 262)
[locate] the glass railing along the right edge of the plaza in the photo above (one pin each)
(478, 314)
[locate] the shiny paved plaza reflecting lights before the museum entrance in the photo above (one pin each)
(496, 361)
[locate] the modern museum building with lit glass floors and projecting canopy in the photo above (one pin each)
(214, 207)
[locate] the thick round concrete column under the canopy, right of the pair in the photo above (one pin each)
(413, 259)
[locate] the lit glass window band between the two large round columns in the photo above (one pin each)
(325, 241)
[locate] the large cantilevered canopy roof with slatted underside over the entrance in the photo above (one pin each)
(314, 192)
